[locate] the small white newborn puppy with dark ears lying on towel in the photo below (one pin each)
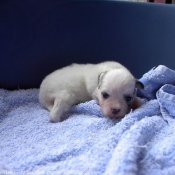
(109, 82)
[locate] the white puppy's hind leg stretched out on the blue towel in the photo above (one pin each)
(62, 103)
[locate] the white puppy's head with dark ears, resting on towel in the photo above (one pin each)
(116, 92)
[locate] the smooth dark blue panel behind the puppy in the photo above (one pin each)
(39, 36)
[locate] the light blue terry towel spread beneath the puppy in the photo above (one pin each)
(86, 142)
